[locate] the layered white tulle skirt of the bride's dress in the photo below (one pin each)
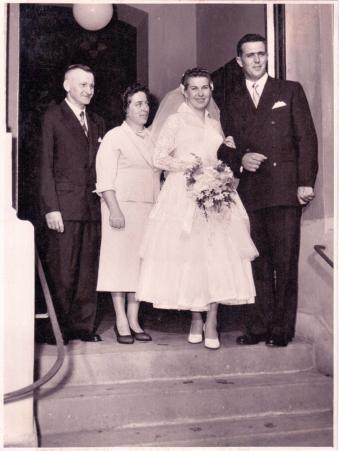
(188, 261)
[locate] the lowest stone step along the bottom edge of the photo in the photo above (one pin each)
(287, 429)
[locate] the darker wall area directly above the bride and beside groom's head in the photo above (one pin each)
(219, 28)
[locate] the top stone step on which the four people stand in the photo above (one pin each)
(168, 355)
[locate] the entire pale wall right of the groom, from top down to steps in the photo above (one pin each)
(310, 61)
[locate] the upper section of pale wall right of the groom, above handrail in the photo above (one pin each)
(310, 61)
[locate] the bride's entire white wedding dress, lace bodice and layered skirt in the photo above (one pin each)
(188, 261)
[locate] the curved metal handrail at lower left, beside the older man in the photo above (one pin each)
(25, 391)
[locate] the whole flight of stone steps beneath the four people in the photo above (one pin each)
(172, 393)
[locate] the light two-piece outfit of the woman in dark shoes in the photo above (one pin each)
(124, 163)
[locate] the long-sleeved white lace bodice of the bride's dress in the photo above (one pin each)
(184, 134)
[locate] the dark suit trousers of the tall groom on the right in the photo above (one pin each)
(276, 233)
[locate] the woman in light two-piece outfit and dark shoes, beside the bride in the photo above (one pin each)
(128, 184)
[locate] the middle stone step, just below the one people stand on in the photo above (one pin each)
(85, 408)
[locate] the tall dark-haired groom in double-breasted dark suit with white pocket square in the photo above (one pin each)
(276, 161)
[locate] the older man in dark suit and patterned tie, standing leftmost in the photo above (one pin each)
(70, 140)
